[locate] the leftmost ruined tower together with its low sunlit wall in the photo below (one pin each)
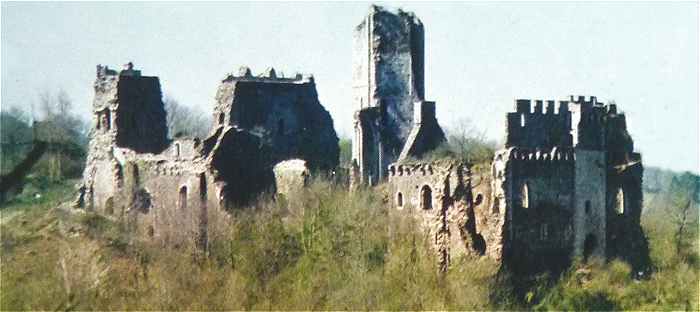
(160, 190)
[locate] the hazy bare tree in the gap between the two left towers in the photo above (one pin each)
(184, 120)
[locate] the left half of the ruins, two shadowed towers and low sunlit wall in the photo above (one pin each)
(171, 191)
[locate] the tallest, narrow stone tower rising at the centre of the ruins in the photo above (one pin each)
(388, 79)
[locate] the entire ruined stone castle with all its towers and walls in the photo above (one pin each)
(566, 184)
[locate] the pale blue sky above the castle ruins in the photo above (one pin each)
(479, 56)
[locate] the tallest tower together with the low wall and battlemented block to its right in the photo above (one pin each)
(567, 183)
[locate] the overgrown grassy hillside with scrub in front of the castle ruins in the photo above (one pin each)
(325, 248)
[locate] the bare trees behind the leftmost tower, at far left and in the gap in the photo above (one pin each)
(51, 123)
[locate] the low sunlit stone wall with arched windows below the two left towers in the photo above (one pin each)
(160, 198)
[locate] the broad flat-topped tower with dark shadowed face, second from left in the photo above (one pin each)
(285, 113)
